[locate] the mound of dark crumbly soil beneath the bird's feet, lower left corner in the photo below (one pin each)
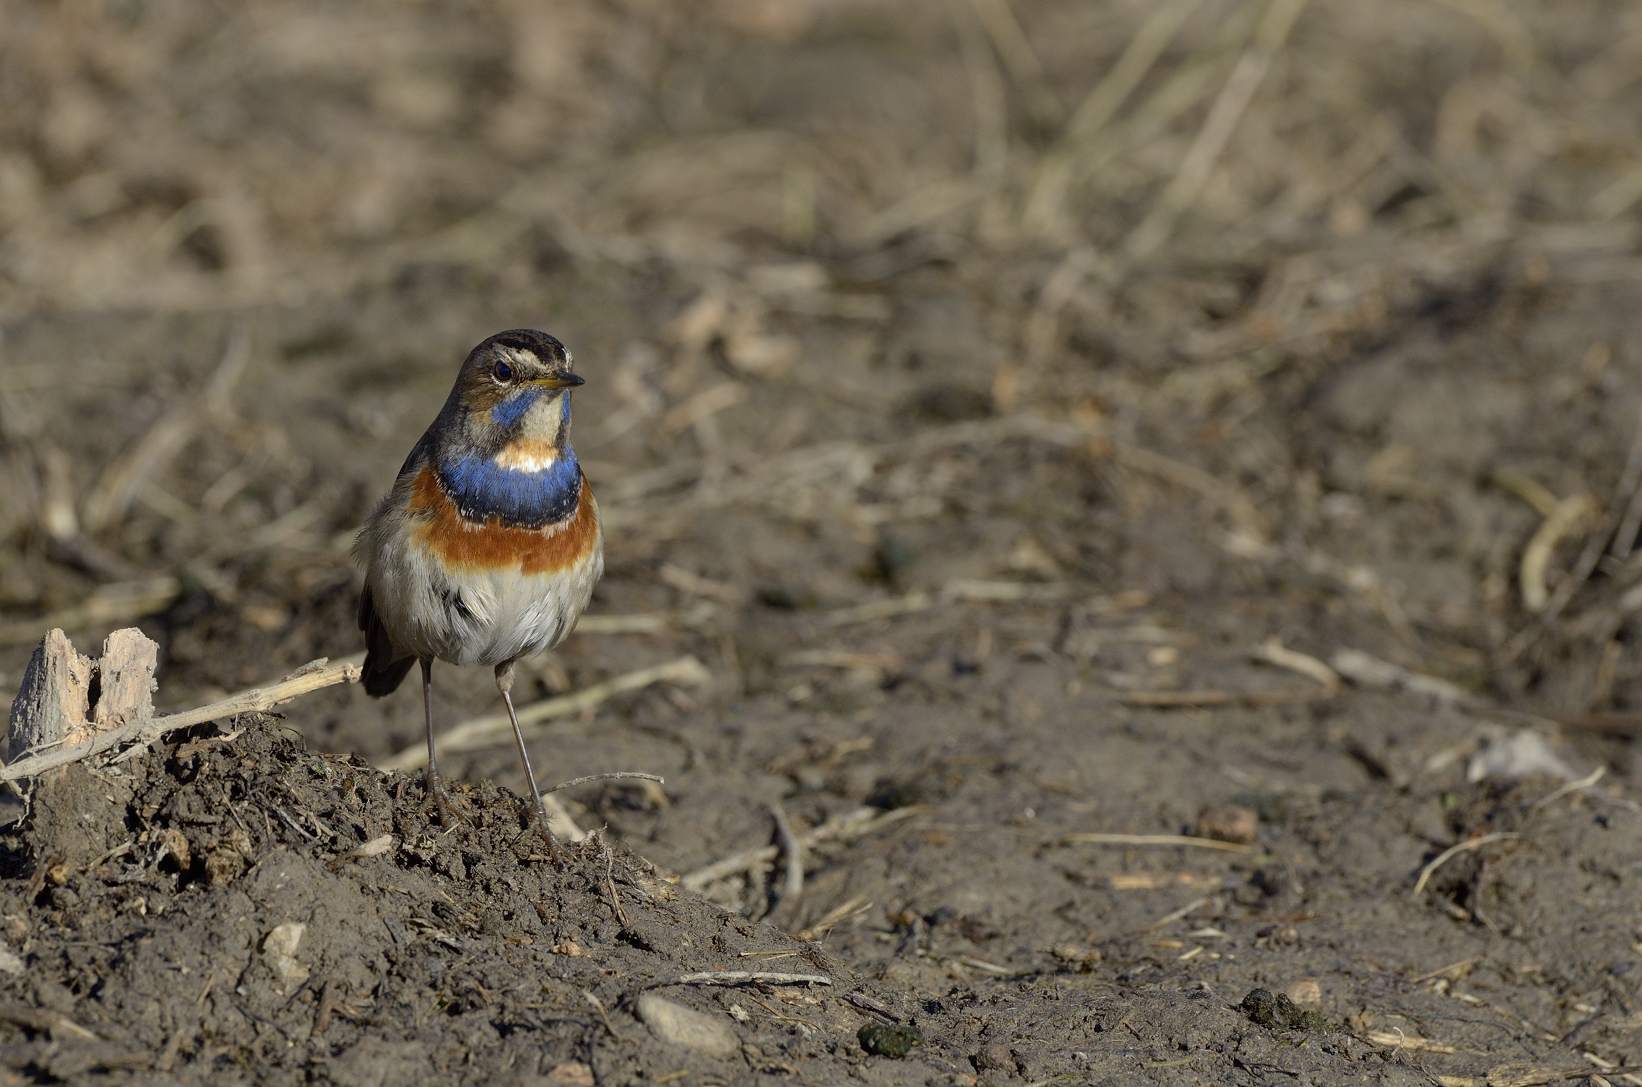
(237, 909)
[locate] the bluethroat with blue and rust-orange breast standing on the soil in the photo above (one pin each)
(488, 546)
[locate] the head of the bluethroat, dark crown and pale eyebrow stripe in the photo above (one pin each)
(513, 393)
